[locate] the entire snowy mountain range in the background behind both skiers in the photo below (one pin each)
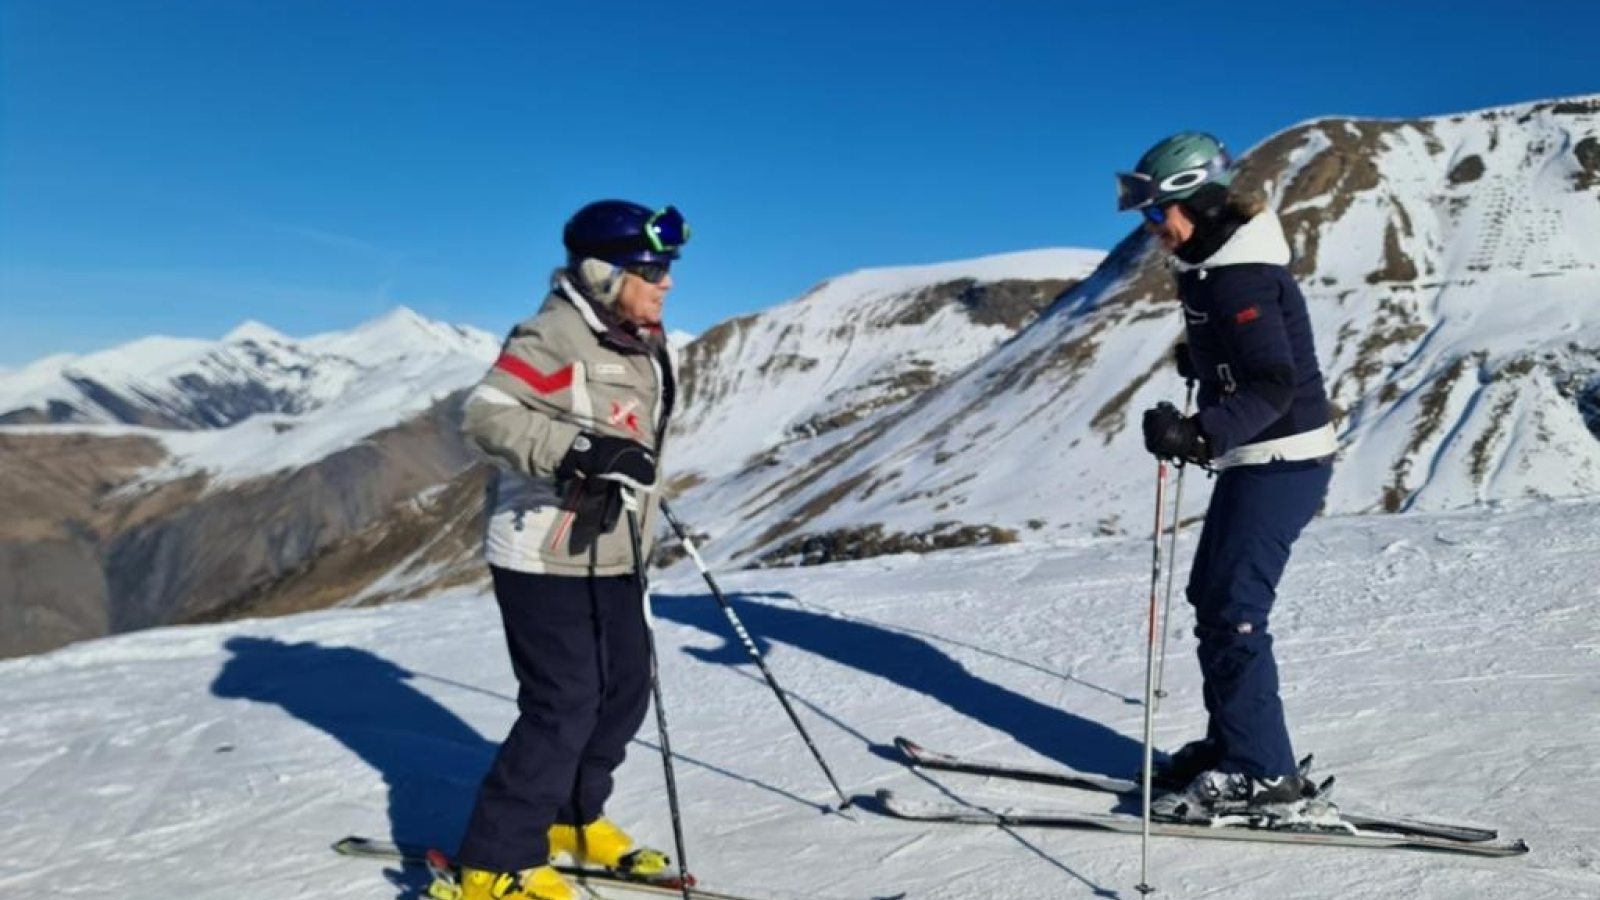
(1452, 267)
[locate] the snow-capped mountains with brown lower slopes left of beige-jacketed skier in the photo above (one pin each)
(254, 475)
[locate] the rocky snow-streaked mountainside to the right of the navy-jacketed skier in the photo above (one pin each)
(1454, 267)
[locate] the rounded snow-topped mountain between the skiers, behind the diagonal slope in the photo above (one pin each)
(852, 348)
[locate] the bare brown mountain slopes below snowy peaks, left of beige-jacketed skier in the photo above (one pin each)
(94, 553)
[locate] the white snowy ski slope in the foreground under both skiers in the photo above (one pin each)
(1442, 665)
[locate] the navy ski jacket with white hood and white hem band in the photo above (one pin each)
(1252, 344)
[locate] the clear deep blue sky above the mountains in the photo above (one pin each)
(183, 166)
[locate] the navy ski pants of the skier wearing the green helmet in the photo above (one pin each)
(1250, 526)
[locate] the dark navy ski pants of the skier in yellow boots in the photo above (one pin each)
(582, 654)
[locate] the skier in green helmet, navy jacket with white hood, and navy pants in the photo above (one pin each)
(1263, 425)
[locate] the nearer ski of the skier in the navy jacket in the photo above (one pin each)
(942, 811)
